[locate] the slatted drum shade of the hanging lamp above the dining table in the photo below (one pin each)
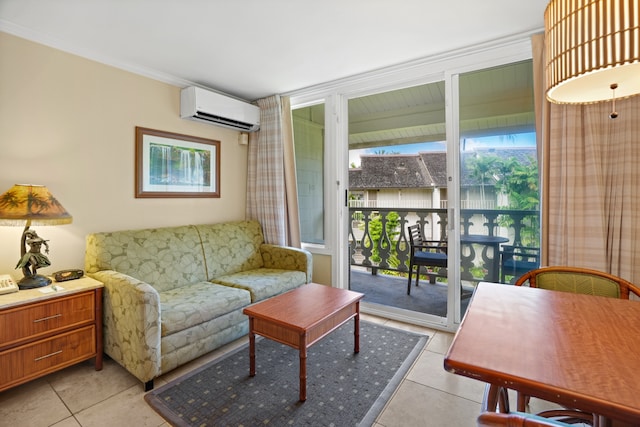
(592, 45)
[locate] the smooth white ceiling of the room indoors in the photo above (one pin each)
(255, 48)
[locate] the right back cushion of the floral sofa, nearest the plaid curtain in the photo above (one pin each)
(231, 247)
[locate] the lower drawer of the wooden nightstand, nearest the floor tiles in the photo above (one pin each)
(48, 355)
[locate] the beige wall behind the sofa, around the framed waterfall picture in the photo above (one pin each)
(68, 123)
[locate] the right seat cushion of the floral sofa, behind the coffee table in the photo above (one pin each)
(264, 283)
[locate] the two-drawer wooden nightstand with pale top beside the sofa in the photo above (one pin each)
(43, 332)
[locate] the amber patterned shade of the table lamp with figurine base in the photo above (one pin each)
(33, 204)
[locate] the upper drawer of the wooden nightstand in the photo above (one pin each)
(46, 317)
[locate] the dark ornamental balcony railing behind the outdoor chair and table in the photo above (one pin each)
(378, 237)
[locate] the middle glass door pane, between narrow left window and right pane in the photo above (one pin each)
(397, 179)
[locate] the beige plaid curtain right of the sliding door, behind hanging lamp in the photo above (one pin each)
(590, 182)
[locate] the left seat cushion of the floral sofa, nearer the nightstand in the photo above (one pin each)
(197, 303)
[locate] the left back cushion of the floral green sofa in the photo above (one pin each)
(165, 258)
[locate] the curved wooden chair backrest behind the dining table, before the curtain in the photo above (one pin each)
(578, 280)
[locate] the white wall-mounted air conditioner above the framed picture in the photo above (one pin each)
(211, 107)
